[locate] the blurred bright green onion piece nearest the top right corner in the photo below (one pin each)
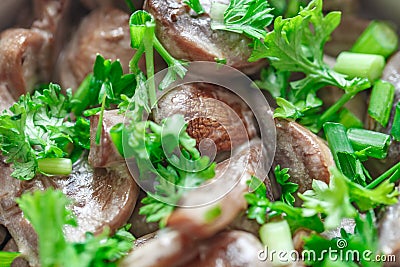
(378, 38)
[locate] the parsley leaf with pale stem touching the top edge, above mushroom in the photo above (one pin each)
(248, 17)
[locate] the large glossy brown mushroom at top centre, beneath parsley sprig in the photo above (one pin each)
(188, 36)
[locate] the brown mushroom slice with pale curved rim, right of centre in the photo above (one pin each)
(305, 154)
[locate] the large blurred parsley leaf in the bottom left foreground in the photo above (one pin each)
(47, 212)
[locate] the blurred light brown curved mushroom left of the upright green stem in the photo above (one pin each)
(104, 31)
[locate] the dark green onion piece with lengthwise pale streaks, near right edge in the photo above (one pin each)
(373, 144)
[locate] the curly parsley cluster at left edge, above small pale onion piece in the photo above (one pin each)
(37, 127)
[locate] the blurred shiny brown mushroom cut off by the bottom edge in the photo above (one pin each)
(231, 248)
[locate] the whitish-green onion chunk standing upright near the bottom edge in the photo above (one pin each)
(277, 238)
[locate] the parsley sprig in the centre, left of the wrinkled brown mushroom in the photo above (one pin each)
(154, 148)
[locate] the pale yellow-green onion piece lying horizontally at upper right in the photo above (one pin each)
(360, 65)
